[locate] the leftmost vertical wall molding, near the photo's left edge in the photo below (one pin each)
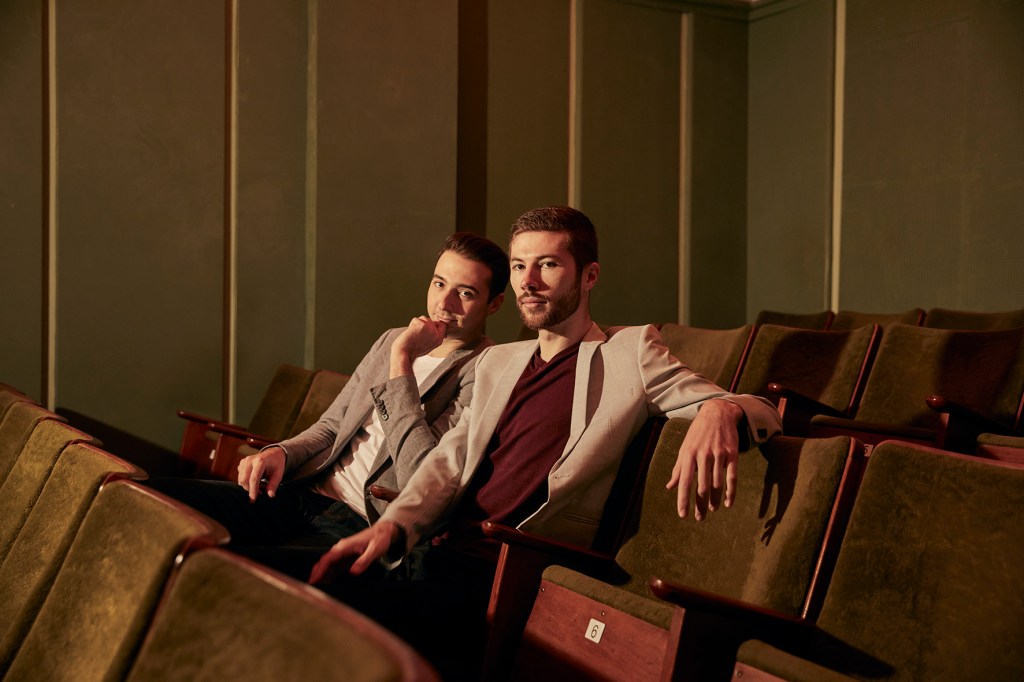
(51, 207)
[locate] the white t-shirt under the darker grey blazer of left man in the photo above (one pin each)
(348, 478)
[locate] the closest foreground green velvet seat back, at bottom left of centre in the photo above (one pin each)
(229, 620)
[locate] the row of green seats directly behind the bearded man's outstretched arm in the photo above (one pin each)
(954, 390)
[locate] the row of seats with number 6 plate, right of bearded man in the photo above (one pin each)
(830, 566)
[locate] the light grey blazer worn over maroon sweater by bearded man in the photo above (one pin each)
(623, 378)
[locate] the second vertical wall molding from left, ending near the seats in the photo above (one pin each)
(232, 217)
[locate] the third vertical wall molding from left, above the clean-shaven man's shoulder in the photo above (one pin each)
(310, 349)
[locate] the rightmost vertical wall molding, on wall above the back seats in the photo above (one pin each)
(839, 90)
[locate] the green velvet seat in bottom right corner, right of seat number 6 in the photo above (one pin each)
(927, 585)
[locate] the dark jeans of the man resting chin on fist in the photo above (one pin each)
(289, 532)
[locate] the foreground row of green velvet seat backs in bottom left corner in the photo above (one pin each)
(102, 579)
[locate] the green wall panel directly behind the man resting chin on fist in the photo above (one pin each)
(387, 158)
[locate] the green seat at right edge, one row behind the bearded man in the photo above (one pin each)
(979, 376)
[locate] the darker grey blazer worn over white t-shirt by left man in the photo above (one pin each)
(412, 423)
